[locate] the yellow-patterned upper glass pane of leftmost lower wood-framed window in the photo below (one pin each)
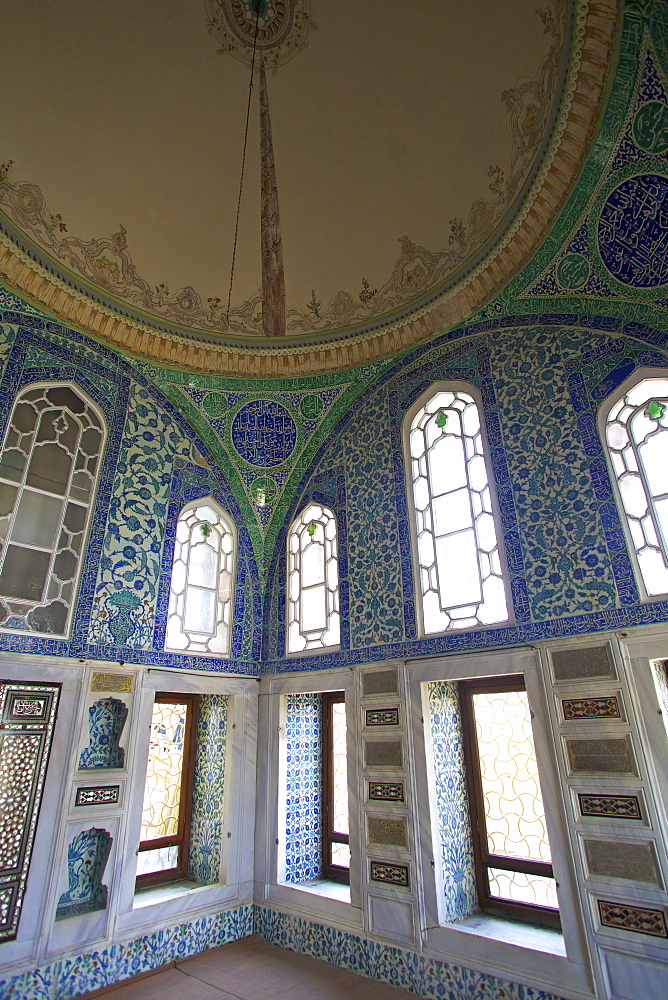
(162, 792)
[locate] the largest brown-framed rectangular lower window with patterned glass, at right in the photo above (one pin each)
(512, 853)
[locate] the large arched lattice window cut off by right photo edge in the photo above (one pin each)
(636, 433)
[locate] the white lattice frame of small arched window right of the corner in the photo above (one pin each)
(332, 595)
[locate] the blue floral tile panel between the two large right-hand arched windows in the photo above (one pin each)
(566, 561)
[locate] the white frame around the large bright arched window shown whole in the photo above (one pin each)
(454, 385)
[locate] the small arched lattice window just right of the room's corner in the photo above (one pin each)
(313, 581)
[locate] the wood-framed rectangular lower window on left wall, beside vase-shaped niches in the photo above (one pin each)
(166, 814)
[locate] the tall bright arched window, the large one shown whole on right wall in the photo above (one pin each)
(460, 578)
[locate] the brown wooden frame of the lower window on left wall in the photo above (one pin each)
(181, 838)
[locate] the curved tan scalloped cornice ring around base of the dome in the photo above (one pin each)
(591, 58)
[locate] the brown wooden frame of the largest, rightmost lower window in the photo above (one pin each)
(527, 912)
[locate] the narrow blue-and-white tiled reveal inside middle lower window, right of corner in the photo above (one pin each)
(303, 796)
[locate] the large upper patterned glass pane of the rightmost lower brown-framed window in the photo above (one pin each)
(514, 812)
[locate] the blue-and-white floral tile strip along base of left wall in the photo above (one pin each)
(70, 977)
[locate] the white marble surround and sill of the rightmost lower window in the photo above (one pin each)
(518, 951)
